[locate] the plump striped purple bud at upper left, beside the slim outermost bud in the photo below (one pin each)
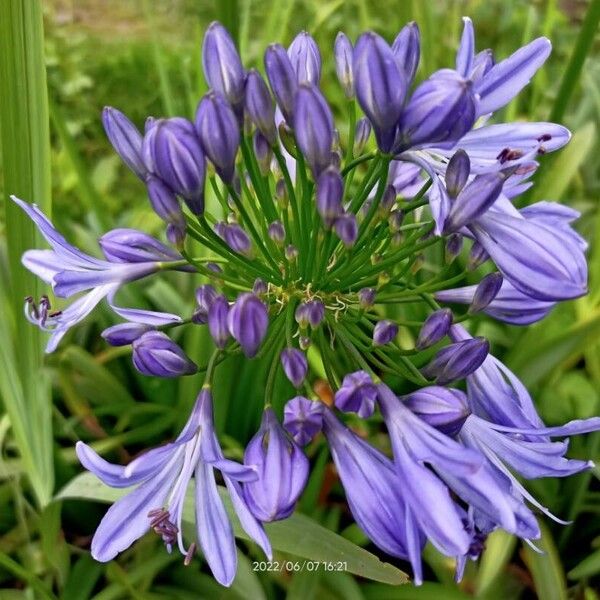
(172, 151)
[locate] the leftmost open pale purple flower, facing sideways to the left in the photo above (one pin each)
(71, 271)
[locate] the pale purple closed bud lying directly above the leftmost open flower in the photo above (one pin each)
(131, 245)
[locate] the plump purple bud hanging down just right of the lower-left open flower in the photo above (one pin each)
(282, 470)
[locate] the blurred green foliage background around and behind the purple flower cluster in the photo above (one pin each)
(144, 58)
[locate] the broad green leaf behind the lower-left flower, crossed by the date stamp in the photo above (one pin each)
(299, 535)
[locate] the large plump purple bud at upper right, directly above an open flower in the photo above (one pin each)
(442, 109)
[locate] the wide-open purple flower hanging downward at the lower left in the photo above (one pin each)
(162, 476)
